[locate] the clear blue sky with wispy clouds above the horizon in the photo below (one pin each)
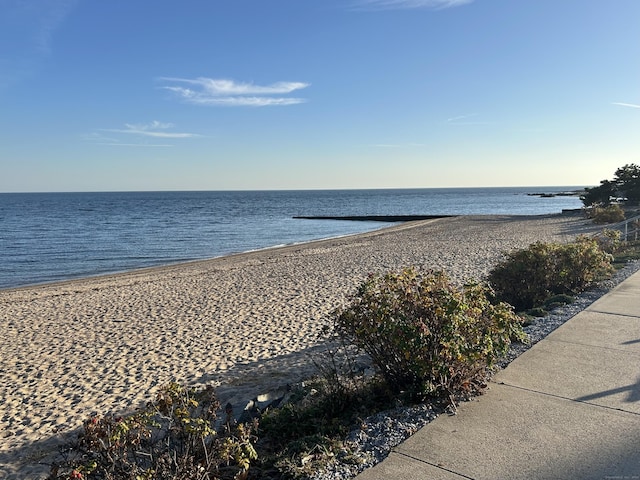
(298, 94)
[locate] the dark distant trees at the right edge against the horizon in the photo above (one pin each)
(625, 184)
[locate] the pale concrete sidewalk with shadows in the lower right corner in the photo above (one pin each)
(568, 408)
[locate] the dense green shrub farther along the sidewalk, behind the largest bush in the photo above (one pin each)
(527, 277)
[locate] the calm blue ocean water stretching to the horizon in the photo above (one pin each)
(46, 237)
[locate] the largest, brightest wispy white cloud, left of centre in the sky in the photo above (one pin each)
(224, 92)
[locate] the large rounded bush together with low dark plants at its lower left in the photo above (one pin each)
(425, 337)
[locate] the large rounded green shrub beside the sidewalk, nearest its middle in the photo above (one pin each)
(426, 335)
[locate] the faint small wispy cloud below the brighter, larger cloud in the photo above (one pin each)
(154, 129)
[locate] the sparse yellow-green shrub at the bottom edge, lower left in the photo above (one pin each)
(174, 437)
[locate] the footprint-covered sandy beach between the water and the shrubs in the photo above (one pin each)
(244, 322)
